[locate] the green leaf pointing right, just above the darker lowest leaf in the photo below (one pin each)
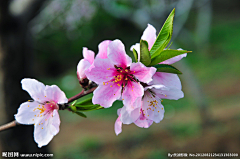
(167, 54)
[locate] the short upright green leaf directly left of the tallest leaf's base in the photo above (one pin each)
(145, 56)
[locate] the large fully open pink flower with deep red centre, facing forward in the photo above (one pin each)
(118, 77)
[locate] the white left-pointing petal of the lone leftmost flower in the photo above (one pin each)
(27, 113)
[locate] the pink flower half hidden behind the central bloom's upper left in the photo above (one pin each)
(88, 59)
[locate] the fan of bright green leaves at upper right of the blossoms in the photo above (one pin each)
(158, 53)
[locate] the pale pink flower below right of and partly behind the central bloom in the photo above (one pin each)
(163, 85)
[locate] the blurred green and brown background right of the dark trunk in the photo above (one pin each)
(205, 120)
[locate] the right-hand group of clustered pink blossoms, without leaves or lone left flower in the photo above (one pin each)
(140, 88)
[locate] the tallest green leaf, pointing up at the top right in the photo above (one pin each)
(164, 36)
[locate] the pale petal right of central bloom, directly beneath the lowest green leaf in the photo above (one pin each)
(169, 80)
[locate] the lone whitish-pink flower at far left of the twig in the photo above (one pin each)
(43, 111)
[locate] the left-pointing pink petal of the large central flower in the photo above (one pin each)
(102, 71)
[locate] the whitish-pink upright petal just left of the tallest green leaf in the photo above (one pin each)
(149, 35)
